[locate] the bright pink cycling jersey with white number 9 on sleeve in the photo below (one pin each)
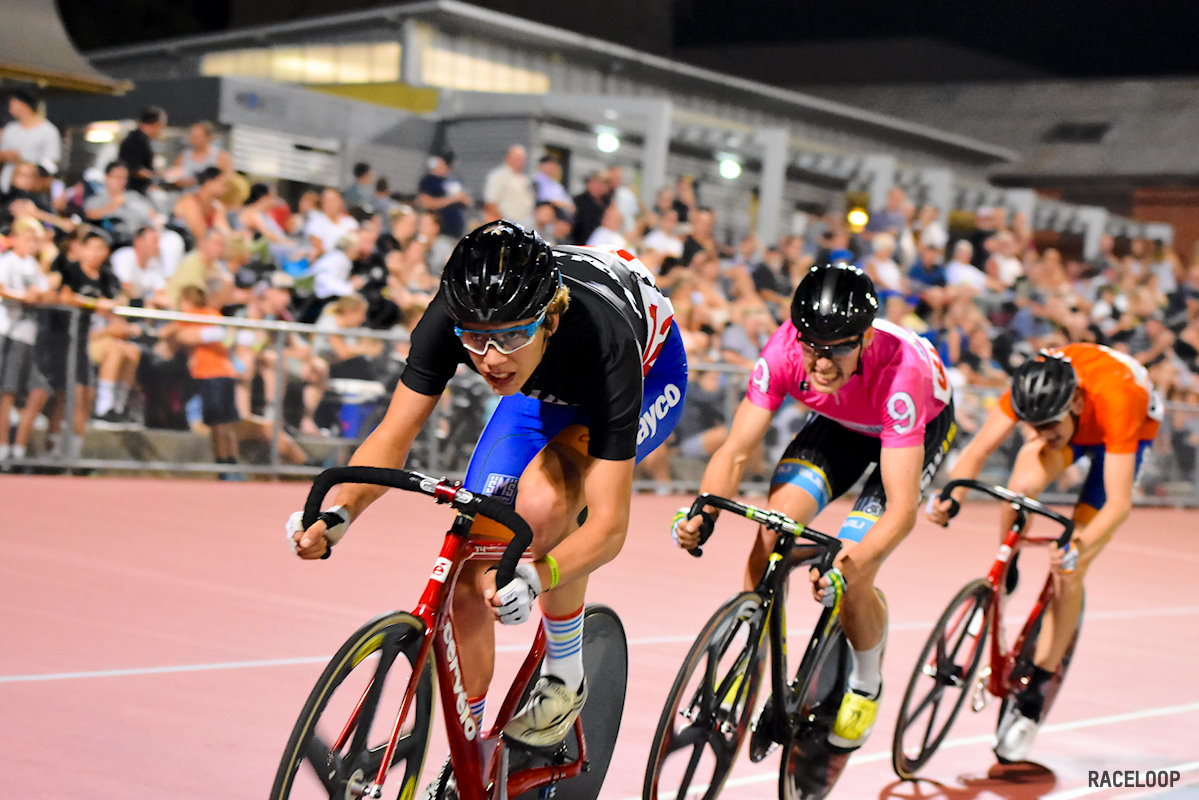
(899, 389)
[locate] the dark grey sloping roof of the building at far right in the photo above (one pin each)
(1079, 131)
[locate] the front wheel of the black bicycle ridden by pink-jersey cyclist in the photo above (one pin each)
(708, 711)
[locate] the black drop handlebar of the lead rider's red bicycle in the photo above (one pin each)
(468, 503)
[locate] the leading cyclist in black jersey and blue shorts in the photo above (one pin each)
(591, 368)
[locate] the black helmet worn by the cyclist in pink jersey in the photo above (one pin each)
(834, 302)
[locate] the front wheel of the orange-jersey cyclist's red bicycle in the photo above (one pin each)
(943, 677)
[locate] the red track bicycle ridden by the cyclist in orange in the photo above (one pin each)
(949, 664)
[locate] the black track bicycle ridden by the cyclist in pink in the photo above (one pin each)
(710, 706)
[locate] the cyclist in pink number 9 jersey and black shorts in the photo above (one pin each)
(878, 395)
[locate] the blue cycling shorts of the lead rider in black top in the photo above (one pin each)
(522, 426)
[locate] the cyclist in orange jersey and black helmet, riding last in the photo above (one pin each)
(1082, 400)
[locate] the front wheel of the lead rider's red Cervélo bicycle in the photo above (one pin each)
(372, 670)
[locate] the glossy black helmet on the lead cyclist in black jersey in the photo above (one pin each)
(499, 273)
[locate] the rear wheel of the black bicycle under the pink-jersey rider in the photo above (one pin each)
(811, 765)
